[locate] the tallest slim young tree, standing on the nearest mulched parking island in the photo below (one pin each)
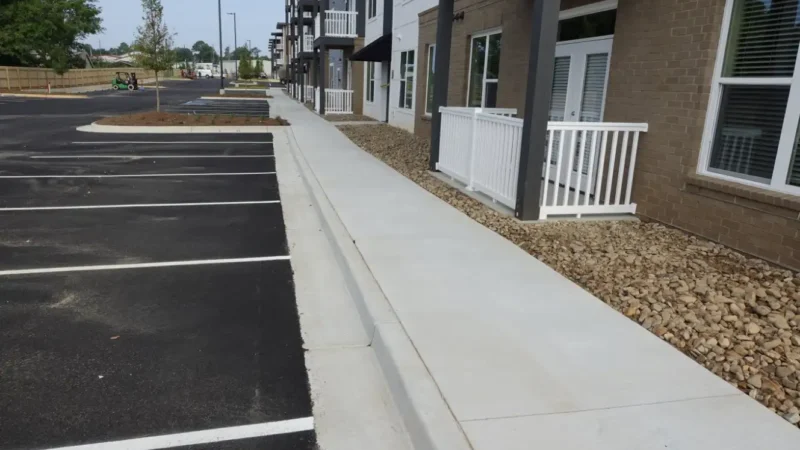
(154, 42)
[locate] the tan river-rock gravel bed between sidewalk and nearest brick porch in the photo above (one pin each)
(734, 314)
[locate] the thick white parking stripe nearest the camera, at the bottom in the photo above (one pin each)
(204, 437)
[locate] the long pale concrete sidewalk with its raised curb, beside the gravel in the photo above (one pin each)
(485, 347)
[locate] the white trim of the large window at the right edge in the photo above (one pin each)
(791, 120)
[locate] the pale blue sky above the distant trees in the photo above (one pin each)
(193, 20)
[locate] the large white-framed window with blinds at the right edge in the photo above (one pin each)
(752, 125)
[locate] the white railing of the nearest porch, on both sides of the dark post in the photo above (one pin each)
(481, 148)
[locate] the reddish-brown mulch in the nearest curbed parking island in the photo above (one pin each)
(175, 119)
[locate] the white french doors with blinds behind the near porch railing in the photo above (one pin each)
(578, 95)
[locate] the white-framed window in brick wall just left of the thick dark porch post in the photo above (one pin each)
(484, 69)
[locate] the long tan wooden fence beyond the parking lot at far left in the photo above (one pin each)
(16, 78)
